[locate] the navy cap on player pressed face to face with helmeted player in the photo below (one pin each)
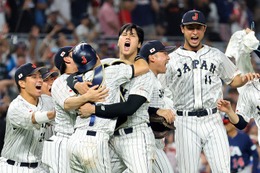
(58, 57)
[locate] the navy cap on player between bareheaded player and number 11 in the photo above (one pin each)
(154, 46)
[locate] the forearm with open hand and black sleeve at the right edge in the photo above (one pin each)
(237, 120)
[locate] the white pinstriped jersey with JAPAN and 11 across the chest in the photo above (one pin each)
(194, 78)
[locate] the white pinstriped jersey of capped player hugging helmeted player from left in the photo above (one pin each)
(65, 120)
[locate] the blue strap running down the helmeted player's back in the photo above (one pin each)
(98, 78)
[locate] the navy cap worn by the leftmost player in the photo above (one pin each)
(25, 70)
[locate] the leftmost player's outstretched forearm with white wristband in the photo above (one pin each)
(40, 117)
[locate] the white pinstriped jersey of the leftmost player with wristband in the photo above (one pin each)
(23, 139)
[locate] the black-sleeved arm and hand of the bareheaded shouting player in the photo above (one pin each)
(127, 108)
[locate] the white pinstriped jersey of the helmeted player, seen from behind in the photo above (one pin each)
(115, 75)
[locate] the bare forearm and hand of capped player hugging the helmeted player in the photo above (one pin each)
(94, 94)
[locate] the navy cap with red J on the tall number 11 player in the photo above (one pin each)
(193, 17)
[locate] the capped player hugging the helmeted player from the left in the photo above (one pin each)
(65, 103)
